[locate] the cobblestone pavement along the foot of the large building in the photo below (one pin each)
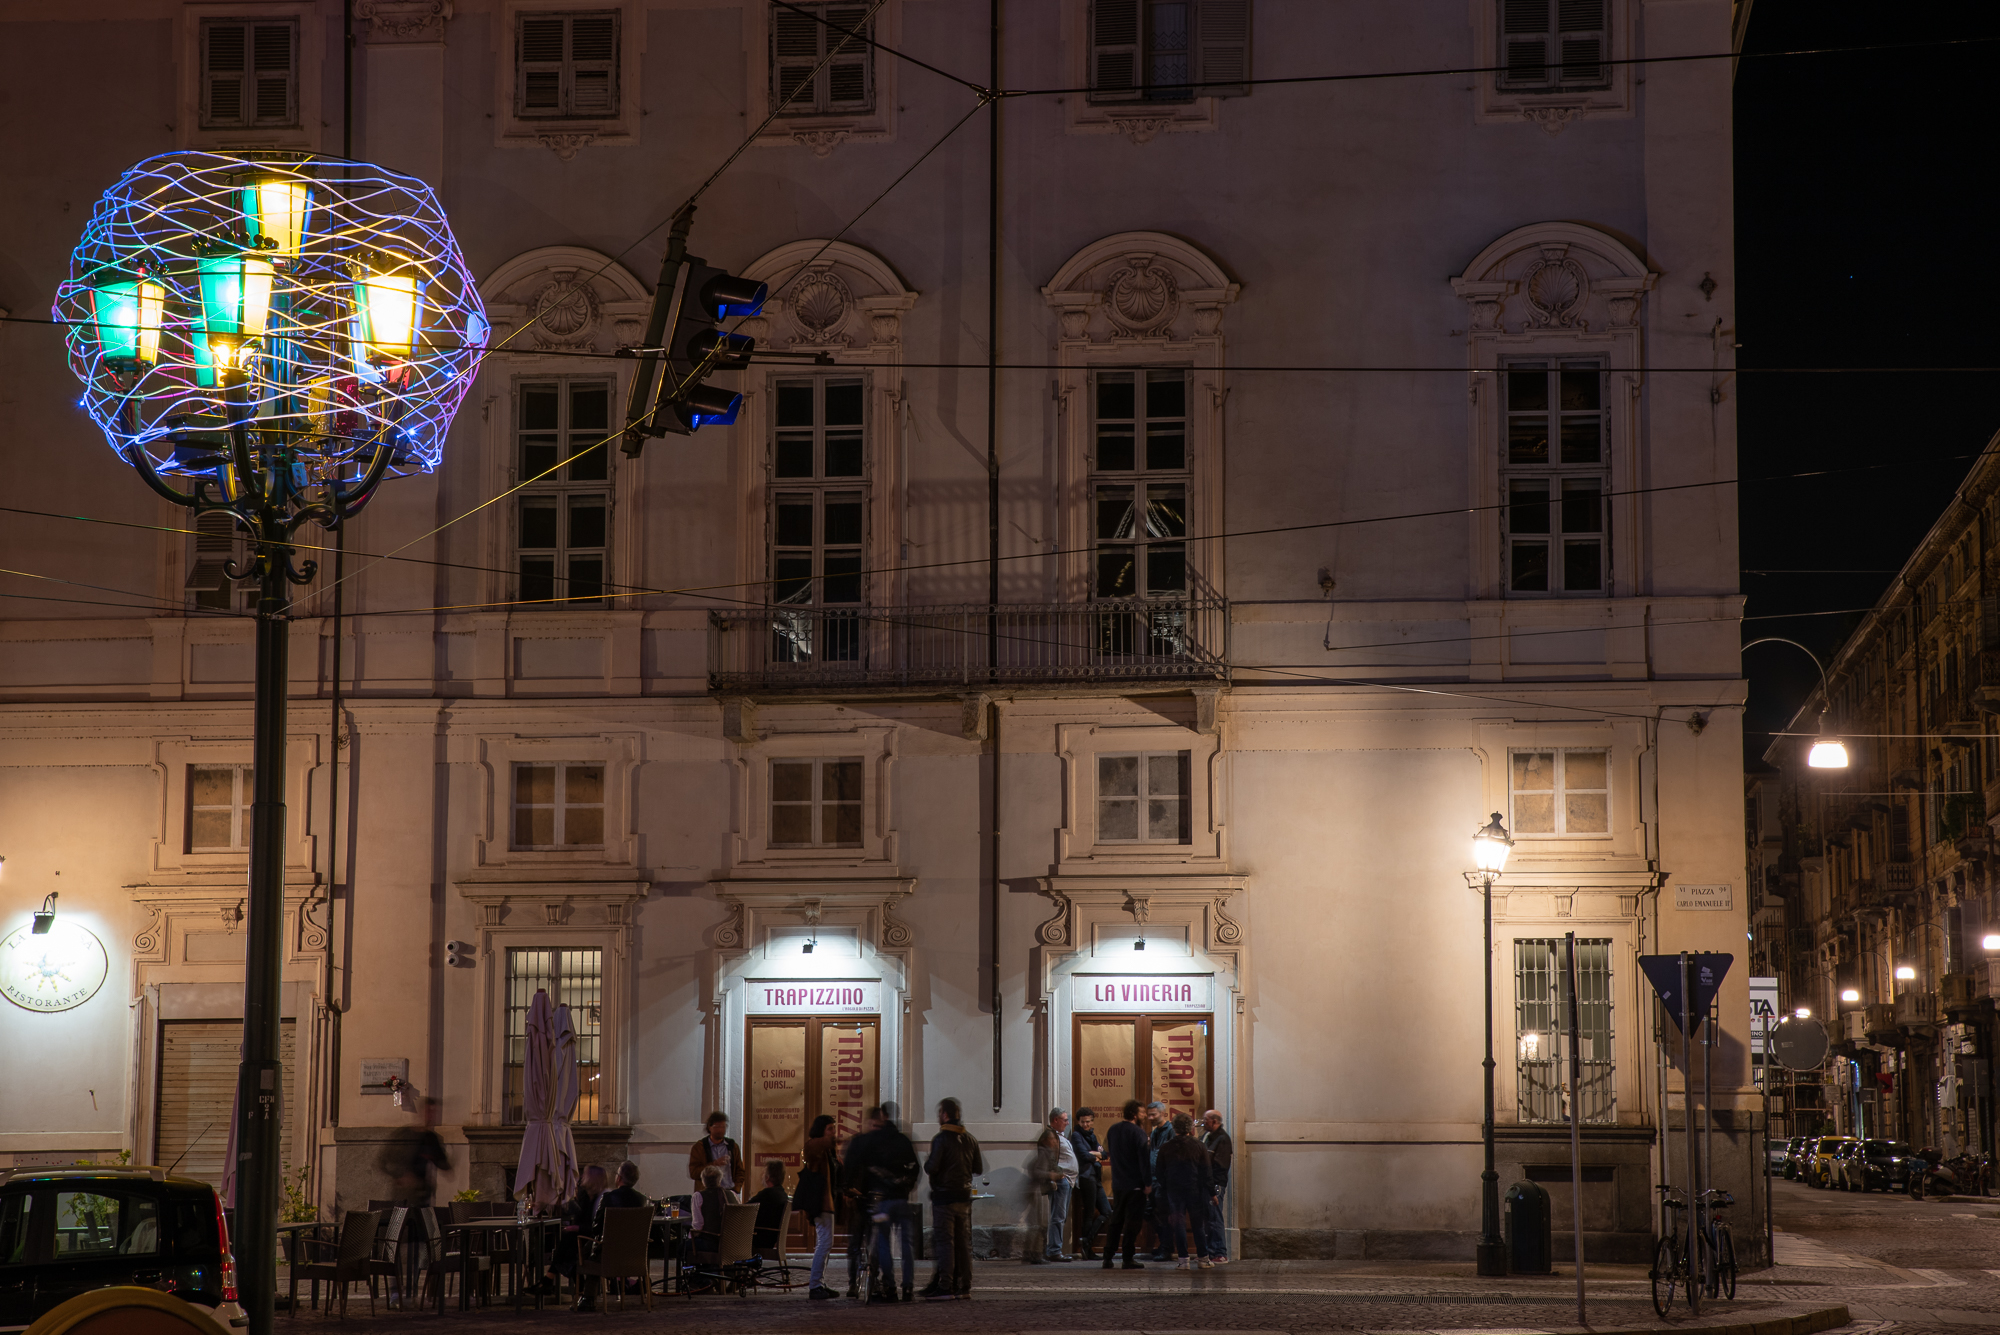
(1897, 1264)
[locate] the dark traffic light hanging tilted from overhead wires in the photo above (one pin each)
(689, 307)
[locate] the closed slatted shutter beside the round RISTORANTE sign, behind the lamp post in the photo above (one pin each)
(199, 1060)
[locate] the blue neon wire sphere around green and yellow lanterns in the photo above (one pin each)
(319, 301)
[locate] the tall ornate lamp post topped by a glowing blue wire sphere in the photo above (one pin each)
(269, 341)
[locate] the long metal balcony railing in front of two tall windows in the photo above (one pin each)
(965, 645)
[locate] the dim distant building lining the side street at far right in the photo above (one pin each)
(1879, 878)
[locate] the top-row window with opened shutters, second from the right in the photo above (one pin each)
(1169, 51)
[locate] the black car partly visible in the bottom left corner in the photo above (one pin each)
(67, 1232)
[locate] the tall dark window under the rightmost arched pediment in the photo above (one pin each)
(1555, 473)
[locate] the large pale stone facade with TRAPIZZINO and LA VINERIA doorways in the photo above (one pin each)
(1337, 511)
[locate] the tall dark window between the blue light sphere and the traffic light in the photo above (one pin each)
(563, 517)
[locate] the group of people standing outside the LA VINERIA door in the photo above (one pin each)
(1167, 1178)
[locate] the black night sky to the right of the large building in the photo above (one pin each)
(1865, 231)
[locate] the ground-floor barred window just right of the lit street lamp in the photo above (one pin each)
(1543, 1032)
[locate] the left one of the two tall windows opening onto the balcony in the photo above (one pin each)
(819, 517)
